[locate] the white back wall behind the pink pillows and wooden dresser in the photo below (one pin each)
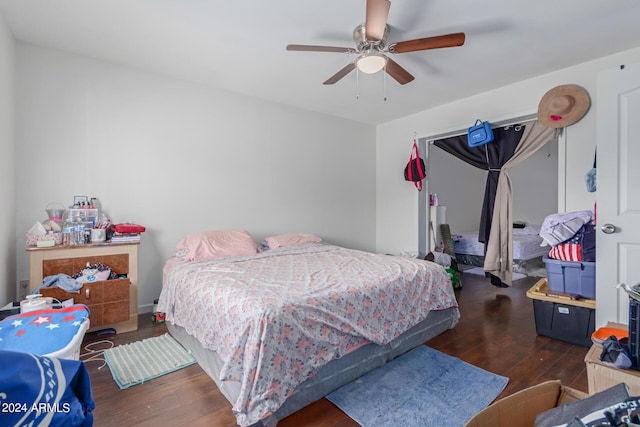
(179, 157)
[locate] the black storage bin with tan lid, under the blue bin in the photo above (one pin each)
(565, 322)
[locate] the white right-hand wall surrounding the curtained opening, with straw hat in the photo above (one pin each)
(397, 200)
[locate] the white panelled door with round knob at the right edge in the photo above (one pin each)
(618, 190)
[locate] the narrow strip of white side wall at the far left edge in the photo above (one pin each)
(7, 168)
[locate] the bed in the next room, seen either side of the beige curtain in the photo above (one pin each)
(527, 249)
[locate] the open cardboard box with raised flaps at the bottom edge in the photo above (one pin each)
(520, 409)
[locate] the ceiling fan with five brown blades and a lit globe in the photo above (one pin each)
(371, 46)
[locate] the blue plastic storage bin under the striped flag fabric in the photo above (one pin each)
(569, 277)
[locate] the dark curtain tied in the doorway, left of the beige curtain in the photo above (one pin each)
(490, 157)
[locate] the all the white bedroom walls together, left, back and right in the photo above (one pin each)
(179, 157)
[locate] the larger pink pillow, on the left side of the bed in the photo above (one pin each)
(217, 244)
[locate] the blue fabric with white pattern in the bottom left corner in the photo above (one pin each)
(44, 391)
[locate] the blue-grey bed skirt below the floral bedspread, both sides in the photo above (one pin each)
(331, 376)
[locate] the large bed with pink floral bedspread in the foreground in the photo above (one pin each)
(280, 328)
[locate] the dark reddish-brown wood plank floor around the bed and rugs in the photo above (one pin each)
(496, 332)
